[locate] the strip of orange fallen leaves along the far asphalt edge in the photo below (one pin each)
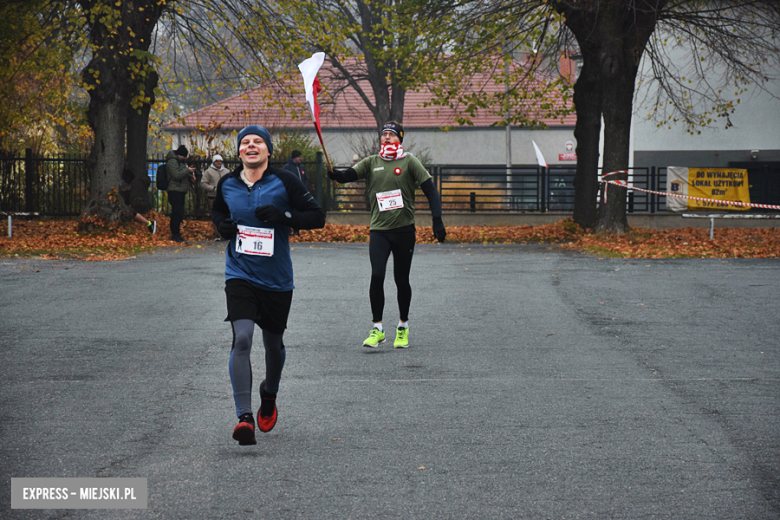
(51, 239)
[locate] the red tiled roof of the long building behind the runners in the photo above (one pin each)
(347, 110)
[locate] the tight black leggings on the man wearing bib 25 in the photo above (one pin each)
(381, 244)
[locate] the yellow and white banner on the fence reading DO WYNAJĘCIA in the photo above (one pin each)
(714, 184)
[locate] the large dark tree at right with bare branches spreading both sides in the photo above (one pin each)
(698, 52)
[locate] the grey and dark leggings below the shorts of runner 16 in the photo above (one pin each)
(240, 366)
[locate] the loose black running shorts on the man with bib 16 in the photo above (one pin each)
(269, 309)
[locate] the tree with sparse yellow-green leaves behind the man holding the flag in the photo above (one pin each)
(380, 49)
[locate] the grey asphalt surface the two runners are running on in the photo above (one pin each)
(540, 384)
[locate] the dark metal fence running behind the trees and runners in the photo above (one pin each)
(59, 186)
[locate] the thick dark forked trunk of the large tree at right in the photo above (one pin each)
(618, 30)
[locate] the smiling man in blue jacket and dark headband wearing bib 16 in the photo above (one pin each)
(255, 207)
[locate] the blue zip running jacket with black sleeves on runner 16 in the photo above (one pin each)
(238, 201)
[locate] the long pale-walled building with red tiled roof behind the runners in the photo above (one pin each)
(347, 125)
